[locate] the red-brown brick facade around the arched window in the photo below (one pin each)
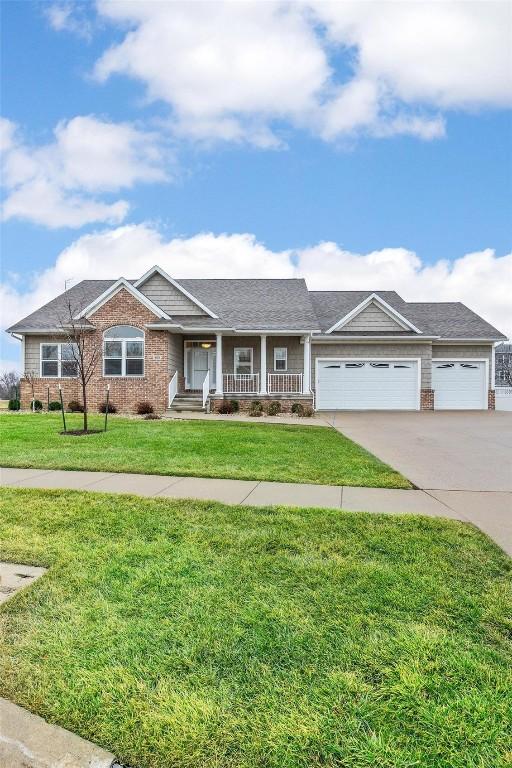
(125, 393)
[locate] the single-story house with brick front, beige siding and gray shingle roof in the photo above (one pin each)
(165, 340)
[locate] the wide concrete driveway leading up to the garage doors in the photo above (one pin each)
(461, 459)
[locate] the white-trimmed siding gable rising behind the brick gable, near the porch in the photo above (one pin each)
(168, 294)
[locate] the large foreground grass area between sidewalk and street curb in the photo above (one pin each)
(197, 635)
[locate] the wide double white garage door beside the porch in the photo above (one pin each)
(367, 385)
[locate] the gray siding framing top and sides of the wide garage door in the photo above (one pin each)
(395, 351)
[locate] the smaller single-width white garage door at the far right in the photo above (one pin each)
(459, 384)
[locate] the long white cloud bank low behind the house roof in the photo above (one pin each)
(481, 280)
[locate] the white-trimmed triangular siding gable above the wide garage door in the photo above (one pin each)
(373, 314)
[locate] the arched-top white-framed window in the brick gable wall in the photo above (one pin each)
(123, 351)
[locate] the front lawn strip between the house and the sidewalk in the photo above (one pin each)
(197, 448)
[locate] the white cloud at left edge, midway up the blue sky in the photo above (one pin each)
(57, 184)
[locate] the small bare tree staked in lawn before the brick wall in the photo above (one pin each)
(84, 350)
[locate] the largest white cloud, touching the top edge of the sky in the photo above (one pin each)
(233, 71)
